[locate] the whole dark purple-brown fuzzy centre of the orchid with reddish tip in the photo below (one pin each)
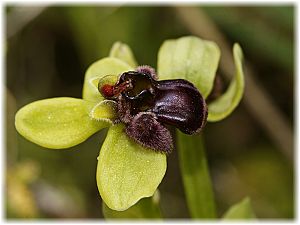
(146, 105)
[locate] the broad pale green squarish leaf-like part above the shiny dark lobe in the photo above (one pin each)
(189, 58)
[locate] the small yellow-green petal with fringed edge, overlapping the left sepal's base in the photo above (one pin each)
(105, 111)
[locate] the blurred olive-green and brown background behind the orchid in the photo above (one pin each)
(48, 49)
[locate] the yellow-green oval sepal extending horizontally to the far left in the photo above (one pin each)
(57, 122)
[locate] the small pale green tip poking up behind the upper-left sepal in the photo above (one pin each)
(123, 52)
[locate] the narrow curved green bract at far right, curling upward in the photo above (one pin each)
(226, 103)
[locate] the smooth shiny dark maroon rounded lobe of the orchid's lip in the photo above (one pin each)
(180, 104)
